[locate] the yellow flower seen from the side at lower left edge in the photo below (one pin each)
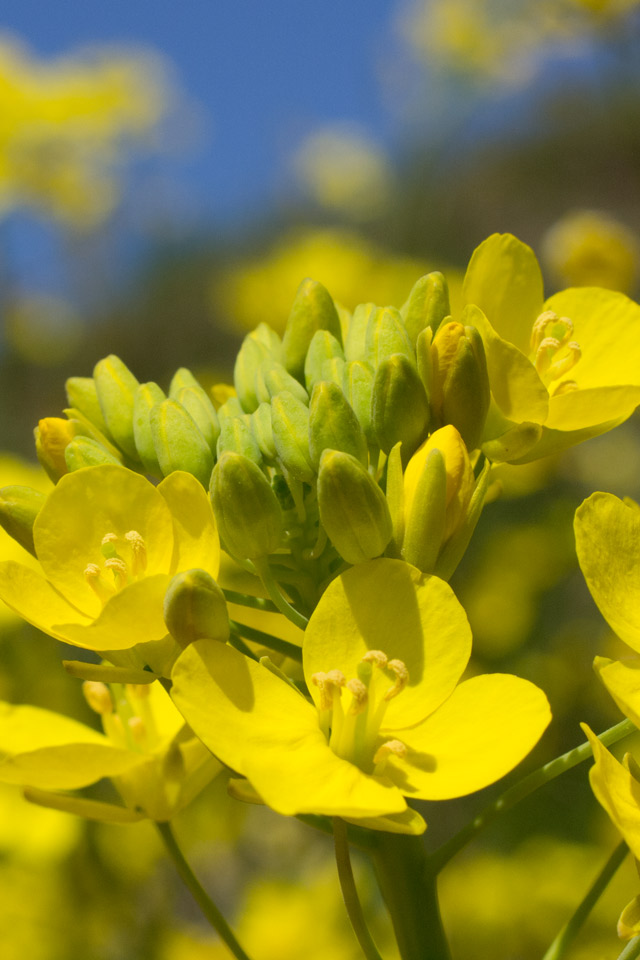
(155, 762)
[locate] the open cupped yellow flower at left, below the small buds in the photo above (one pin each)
(108, 543)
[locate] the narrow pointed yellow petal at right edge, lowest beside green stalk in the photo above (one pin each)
(617, 790)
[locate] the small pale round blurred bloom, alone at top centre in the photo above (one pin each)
(344, 170)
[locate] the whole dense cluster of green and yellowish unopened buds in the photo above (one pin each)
(351, 437)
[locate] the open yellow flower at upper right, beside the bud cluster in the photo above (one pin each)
(570, 364)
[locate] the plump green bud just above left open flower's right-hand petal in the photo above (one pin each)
(178, 442)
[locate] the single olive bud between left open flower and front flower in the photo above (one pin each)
(195, 608)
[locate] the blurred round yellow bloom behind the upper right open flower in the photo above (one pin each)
(587, 248)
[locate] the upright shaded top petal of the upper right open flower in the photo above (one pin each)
(503, 279)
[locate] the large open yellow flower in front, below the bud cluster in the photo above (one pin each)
(382, 656)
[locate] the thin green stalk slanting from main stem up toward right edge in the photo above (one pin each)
(522, 789)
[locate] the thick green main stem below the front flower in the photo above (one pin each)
(409, 889)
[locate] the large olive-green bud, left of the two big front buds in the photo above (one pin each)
(246, 508)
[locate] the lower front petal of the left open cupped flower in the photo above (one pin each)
(130, 617)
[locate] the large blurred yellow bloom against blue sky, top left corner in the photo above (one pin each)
(64, 124)
